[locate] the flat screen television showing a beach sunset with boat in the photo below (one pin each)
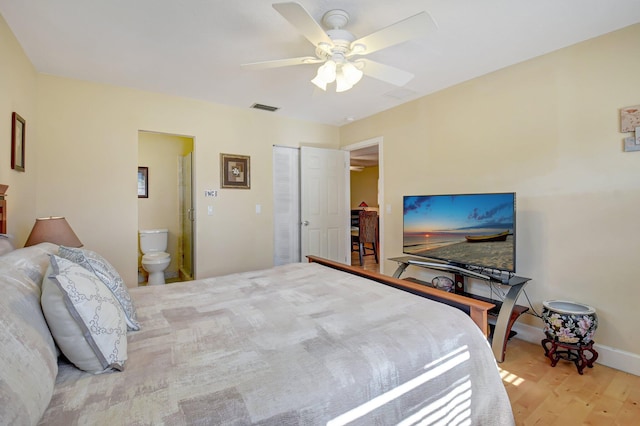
(473, 231)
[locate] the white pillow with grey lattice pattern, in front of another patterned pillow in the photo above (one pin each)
(84, 317)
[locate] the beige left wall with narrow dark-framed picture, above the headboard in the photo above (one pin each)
(18, 93)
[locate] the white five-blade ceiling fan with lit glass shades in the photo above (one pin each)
(339, 51)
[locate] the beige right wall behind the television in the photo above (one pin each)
(547, 129)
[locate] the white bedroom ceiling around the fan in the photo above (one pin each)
(194, 48)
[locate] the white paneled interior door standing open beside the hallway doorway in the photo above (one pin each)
(324, 204)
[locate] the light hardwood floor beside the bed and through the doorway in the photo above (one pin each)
(545, 395)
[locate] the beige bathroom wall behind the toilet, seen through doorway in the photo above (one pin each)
(161, 153)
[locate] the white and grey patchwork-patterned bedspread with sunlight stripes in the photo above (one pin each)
(296, 344)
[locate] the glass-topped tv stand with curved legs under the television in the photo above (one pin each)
(504, 314)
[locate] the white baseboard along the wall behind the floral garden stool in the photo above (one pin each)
(611, 357)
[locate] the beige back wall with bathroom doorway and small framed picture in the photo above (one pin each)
(92, 153)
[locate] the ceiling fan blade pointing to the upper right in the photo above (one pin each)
(412, 27)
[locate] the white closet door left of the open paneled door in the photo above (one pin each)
(286, 205)
